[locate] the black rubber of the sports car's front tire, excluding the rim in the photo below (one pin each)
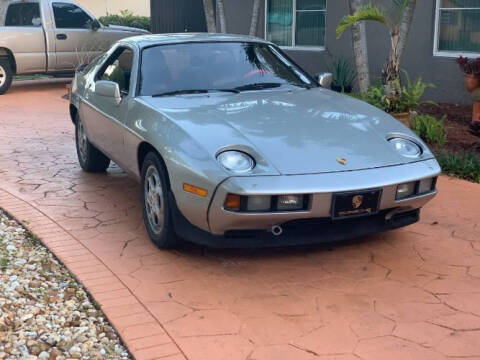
(167, 238)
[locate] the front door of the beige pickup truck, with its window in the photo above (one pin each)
(75, 41)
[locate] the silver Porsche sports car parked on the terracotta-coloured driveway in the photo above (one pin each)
(235, 145)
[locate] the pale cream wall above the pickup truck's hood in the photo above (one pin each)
(102, 7)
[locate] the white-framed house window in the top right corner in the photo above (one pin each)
(458, 27)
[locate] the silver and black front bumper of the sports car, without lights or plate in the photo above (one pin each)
(232, 230)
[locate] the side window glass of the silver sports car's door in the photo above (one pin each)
(118, 68)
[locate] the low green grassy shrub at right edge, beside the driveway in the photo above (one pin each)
(465, 165)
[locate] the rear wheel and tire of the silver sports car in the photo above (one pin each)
(90, 158)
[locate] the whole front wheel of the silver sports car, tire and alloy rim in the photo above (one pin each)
(156, 209)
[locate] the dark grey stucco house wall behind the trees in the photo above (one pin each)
(418, 59)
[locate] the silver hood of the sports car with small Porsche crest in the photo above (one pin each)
(296, 132)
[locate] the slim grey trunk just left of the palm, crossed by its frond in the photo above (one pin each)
(360, 50)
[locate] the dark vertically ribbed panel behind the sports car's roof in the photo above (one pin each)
(173, 16)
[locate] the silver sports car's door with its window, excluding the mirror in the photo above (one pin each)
(103, 117)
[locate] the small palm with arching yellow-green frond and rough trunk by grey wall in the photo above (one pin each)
(397, 19)
